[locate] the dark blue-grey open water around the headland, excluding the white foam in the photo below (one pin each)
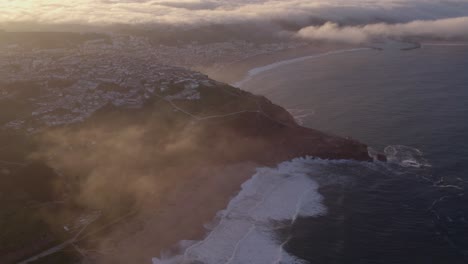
(387, 213)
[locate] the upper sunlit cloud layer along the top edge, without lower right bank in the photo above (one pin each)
(102, 12)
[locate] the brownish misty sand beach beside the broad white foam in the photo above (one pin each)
(182, 215)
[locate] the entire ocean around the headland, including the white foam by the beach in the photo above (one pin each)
(412, 105)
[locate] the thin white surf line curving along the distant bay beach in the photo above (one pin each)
(256, 71)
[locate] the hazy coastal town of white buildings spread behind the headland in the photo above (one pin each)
(74, 81)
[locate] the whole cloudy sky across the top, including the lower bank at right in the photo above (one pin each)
(341, 20)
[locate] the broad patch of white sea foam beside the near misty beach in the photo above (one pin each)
(272, 198)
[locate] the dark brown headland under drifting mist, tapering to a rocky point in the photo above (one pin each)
(104, 149)
